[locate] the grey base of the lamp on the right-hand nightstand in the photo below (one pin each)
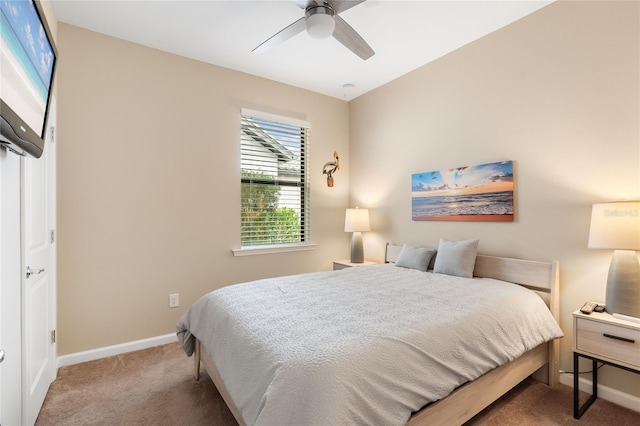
(623, 284)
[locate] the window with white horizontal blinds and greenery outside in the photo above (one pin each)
(273, 180)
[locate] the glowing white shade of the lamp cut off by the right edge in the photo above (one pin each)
(615, 226)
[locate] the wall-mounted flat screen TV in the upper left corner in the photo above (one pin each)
(27, 62)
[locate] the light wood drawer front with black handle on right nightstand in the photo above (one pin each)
(609, 340)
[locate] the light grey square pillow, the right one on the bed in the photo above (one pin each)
(456, 257)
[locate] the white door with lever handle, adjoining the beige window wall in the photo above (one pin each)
(38, 309)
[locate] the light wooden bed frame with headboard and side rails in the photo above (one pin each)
(471, 398)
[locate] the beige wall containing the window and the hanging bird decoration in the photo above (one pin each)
(149, 193)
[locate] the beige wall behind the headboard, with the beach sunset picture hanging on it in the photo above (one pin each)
(558, 93)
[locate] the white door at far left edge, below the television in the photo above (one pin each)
(10, 279)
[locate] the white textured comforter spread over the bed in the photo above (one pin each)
(366, 345)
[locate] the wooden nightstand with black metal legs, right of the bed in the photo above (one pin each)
(602, 338)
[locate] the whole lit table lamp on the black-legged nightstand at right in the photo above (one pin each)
(617, 226)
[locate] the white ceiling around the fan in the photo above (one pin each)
(404, 34)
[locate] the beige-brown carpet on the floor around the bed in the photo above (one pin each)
(156, 387)
